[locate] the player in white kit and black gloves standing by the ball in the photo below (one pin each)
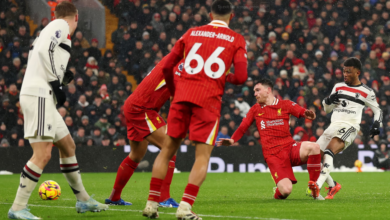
(41, 91)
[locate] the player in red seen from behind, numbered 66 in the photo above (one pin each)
(208, 52)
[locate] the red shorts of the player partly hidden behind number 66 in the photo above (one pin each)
(141, 122)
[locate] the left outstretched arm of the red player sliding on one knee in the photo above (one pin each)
(245, 124)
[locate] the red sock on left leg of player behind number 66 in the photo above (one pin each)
(125, 171)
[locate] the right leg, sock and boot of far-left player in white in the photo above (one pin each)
(70, 170)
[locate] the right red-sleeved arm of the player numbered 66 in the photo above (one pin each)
(240, 65)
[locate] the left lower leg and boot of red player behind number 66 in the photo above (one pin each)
(126, 170)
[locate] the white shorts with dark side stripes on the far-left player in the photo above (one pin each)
(42, 121)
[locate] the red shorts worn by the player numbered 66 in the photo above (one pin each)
(202, 124)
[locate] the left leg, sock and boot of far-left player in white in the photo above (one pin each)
(29, 179)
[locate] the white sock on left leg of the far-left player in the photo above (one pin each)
(28, 180)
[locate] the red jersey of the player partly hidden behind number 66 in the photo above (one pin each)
(152, 92)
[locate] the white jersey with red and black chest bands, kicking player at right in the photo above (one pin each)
(353, 99)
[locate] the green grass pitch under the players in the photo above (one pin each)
(222, 196)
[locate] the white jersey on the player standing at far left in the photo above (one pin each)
(48, 58)
